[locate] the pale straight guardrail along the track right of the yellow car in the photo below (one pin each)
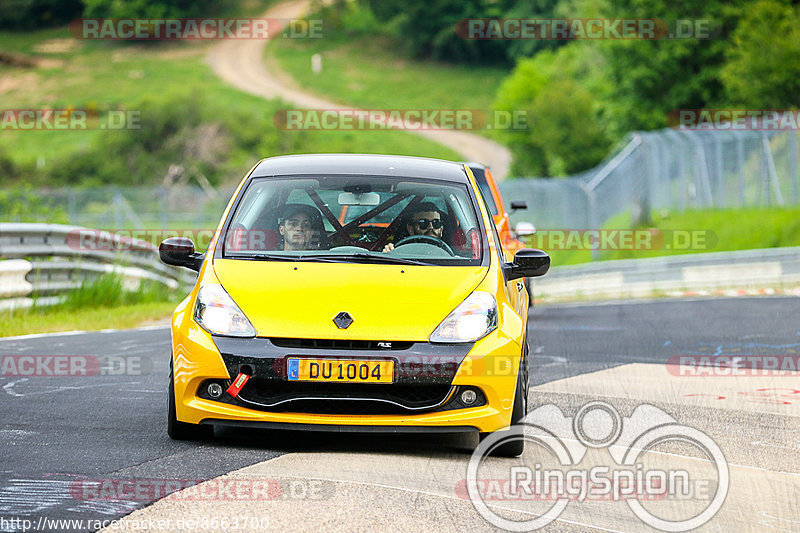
(773, 268)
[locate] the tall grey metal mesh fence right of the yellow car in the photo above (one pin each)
(671, 169)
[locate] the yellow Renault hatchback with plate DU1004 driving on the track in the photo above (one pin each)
(352, 293)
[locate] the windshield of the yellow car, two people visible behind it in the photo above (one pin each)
(374, 219)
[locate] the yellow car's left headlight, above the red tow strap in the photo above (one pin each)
(217, 313)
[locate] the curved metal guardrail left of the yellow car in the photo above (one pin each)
(46, 260)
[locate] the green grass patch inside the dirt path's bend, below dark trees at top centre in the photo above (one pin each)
(365, 72)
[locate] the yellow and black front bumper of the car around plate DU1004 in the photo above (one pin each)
(490, 366)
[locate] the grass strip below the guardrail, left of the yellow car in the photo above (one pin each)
(42, 320)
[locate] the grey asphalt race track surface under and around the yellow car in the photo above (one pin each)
(63, 437)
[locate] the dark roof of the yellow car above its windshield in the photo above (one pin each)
(361, 165)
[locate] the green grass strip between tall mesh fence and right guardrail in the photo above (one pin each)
(701, 231)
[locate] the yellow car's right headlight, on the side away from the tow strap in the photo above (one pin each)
(473, 319)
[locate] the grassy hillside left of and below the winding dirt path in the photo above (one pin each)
(103, 75)
